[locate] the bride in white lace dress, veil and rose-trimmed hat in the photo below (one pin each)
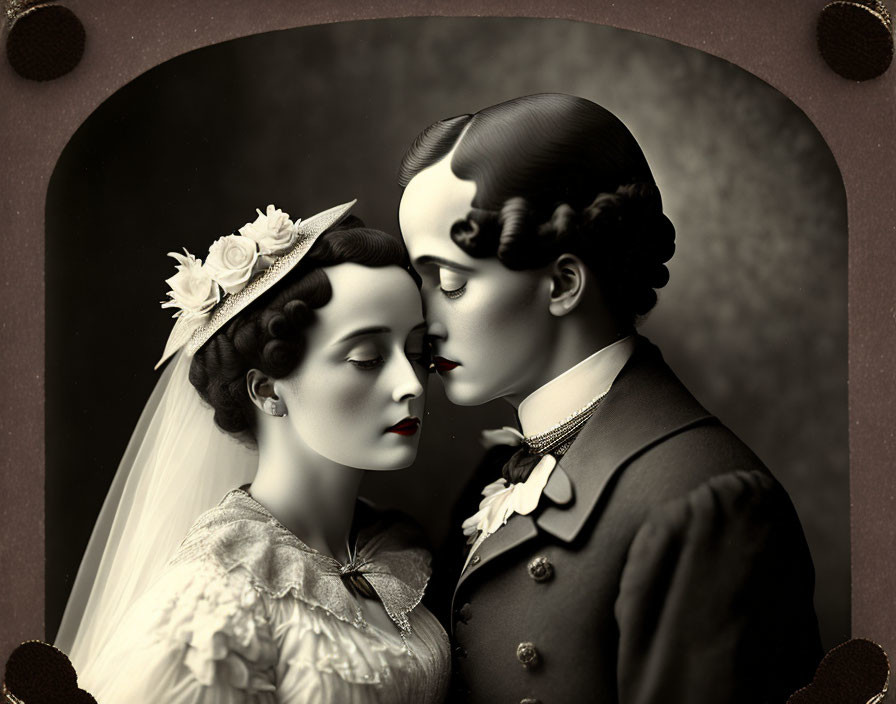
(305, 343)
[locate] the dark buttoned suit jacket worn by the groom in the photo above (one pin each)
(664, 564)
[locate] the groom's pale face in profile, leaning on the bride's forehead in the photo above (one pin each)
(491, 326)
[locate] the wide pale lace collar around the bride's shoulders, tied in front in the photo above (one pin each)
(240, 533)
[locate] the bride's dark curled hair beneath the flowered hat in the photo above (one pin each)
(269, 335)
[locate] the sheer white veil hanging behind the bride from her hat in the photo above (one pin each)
(177, 465)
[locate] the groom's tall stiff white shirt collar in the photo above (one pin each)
(574, 389)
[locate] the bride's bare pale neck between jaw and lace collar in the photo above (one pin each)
(310, 495)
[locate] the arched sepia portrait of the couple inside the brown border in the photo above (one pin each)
(450, 359)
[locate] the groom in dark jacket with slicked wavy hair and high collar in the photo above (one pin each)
(632, 549)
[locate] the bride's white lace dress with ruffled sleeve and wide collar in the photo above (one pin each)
(246, 612)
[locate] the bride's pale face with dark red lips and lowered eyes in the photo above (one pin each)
(357, 397)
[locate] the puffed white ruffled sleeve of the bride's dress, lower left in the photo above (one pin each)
(197, 627)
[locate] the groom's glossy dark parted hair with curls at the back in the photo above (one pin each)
(557, 174)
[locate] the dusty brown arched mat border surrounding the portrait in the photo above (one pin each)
(774, 40)
